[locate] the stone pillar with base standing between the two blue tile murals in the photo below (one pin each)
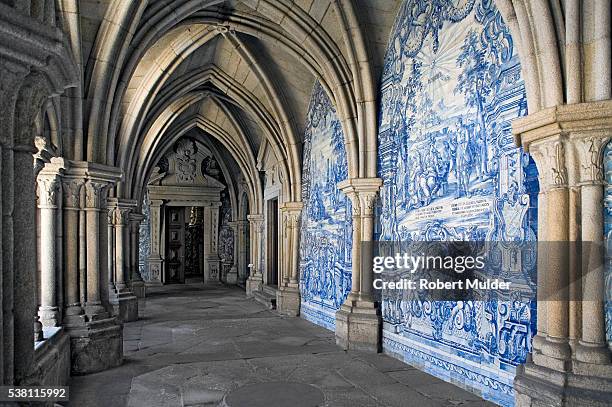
(358, 320)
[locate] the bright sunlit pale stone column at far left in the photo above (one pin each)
(49, 198)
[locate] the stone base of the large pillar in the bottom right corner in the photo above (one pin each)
(586, 386)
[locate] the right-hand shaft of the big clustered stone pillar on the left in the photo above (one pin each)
(95, 199)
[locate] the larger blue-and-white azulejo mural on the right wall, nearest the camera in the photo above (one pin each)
(451, 86)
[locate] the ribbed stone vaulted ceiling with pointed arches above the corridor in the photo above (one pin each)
(240, 71)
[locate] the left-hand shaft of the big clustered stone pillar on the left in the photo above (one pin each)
(71, 188)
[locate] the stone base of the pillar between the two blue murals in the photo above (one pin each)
(358, 326)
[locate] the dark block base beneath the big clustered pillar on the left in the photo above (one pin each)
(95, 347)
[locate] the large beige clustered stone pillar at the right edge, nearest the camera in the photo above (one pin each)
(570, 362)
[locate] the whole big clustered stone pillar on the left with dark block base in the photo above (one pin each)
(96, 337)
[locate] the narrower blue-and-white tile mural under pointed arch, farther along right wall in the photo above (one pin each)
(326, 225)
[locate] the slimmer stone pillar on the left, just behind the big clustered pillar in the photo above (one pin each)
(123, 301)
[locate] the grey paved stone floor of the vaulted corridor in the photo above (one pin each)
(193, 344)
